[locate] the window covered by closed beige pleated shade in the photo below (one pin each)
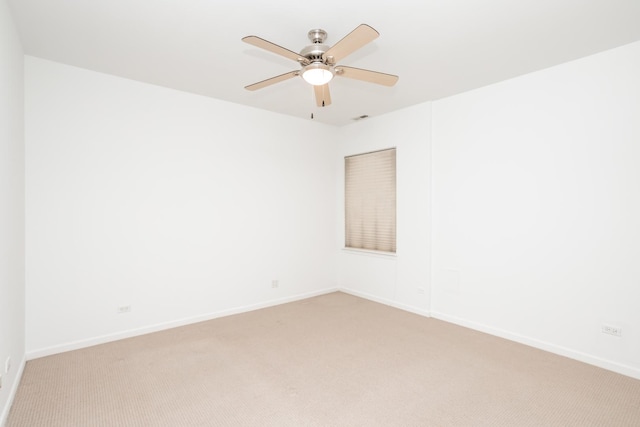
(370, 201)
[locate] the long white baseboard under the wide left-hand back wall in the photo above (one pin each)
(75, 345)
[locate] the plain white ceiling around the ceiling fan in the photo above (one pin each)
(437, 47)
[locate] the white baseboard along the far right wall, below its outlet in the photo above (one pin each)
(542, 345)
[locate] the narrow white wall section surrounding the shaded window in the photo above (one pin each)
(403, 280)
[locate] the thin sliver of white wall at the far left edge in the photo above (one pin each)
(12, 291)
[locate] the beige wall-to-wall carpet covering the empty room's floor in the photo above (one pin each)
(333, 360)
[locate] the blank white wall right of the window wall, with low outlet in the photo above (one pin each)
(536, 208)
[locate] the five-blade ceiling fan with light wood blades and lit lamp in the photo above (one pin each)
(318, 61)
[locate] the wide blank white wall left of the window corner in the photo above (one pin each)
(181, 206)
